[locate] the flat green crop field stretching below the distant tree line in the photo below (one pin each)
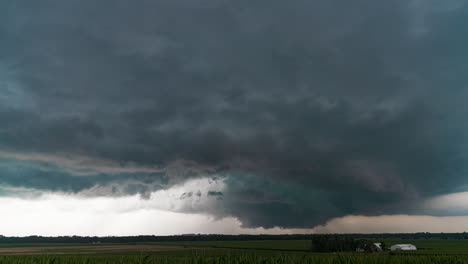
(226, 252)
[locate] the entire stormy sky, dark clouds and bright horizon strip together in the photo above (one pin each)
(129, 117)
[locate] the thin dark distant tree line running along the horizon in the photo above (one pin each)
(214, 237)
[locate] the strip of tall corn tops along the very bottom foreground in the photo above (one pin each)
(240, 259)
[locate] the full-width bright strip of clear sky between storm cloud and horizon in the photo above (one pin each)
(67, 215)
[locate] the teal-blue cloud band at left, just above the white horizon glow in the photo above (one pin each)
(43, 176)
